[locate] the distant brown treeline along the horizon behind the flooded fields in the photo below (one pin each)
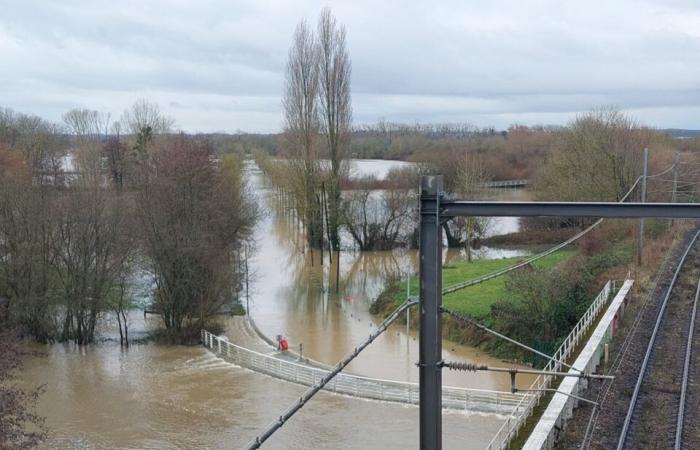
(514, 153)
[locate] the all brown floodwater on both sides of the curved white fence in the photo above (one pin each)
(159, 397)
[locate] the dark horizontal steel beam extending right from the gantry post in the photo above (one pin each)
(454, 208)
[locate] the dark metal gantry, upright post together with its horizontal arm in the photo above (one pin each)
(434, 210)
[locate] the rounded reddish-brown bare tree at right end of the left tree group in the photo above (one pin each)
(195, 215)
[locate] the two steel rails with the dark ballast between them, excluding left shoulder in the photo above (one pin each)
(664, 399)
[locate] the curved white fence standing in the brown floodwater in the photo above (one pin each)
(478, 400)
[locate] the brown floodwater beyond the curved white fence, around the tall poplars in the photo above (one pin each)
(290, 297)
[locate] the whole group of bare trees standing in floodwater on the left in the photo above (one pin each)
(87, 203)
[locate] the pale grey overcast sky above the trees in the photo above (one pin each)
(219, 65)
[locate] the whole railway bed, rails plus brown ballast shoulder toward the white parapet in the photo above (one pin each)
(657, 360)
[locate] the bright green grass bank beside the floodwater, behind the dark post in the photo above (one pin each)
(476, 300)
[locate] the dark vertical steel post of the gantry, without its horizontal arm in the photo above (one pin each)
(430, 345)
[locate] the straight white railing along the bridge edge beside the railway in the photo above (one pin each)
(509, 429)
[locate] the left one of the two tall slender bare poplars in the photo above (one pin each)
(302, 127)
